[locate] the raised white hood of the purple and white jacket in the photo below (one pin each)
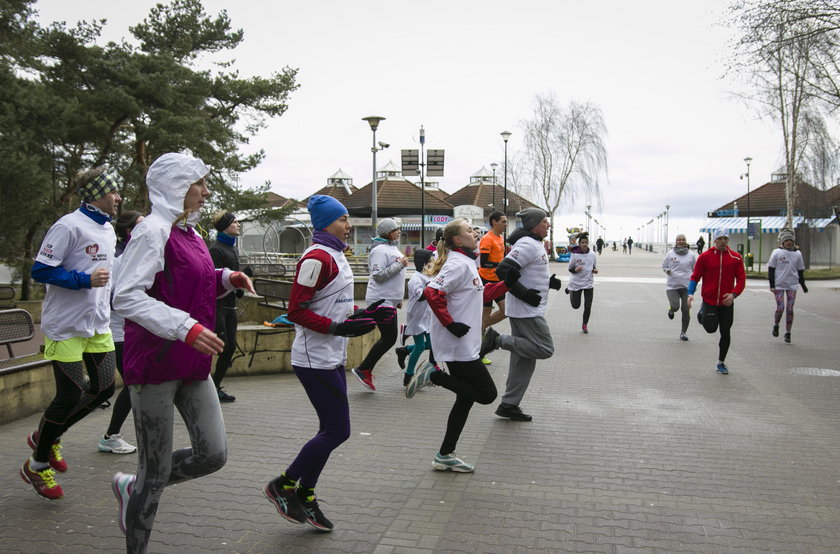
(168, 180)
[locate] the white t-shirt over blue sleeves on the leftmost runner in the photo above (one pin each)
(77, 243)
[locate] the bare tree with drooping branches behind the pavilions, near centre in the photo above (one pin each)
(564, 153)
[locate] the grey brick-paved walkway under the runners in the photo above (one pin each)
(637, 445)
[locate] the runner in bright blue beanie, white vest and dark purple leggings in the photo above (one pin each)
(321, 307)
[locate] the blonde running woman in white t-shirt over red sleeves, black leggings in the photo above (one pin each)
(456, 295)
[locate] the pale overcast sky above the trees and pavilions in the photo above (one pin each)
(466, 70)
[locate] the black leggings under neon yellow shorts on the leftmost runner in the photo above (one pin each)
(74, 397)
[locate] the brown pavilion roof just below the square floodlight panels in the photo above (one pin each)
(395, 197)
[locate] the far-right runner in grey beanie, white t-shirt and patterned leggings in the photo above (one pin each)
(786, 272)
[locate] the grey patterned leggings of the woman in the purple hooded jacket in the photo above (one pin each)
(157, 465)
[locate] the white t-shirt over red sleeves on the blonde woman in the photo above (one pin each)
(459, 280)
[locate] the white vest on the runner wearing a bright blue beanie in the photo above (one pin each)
(335, 301)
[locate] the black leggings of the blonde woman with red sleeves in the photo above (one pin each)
(471, 383)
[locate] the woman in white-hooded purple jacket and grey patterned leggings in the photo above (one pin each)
(167, 293)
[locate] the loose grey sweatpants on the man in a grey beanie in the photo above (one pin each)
(529, 341)
